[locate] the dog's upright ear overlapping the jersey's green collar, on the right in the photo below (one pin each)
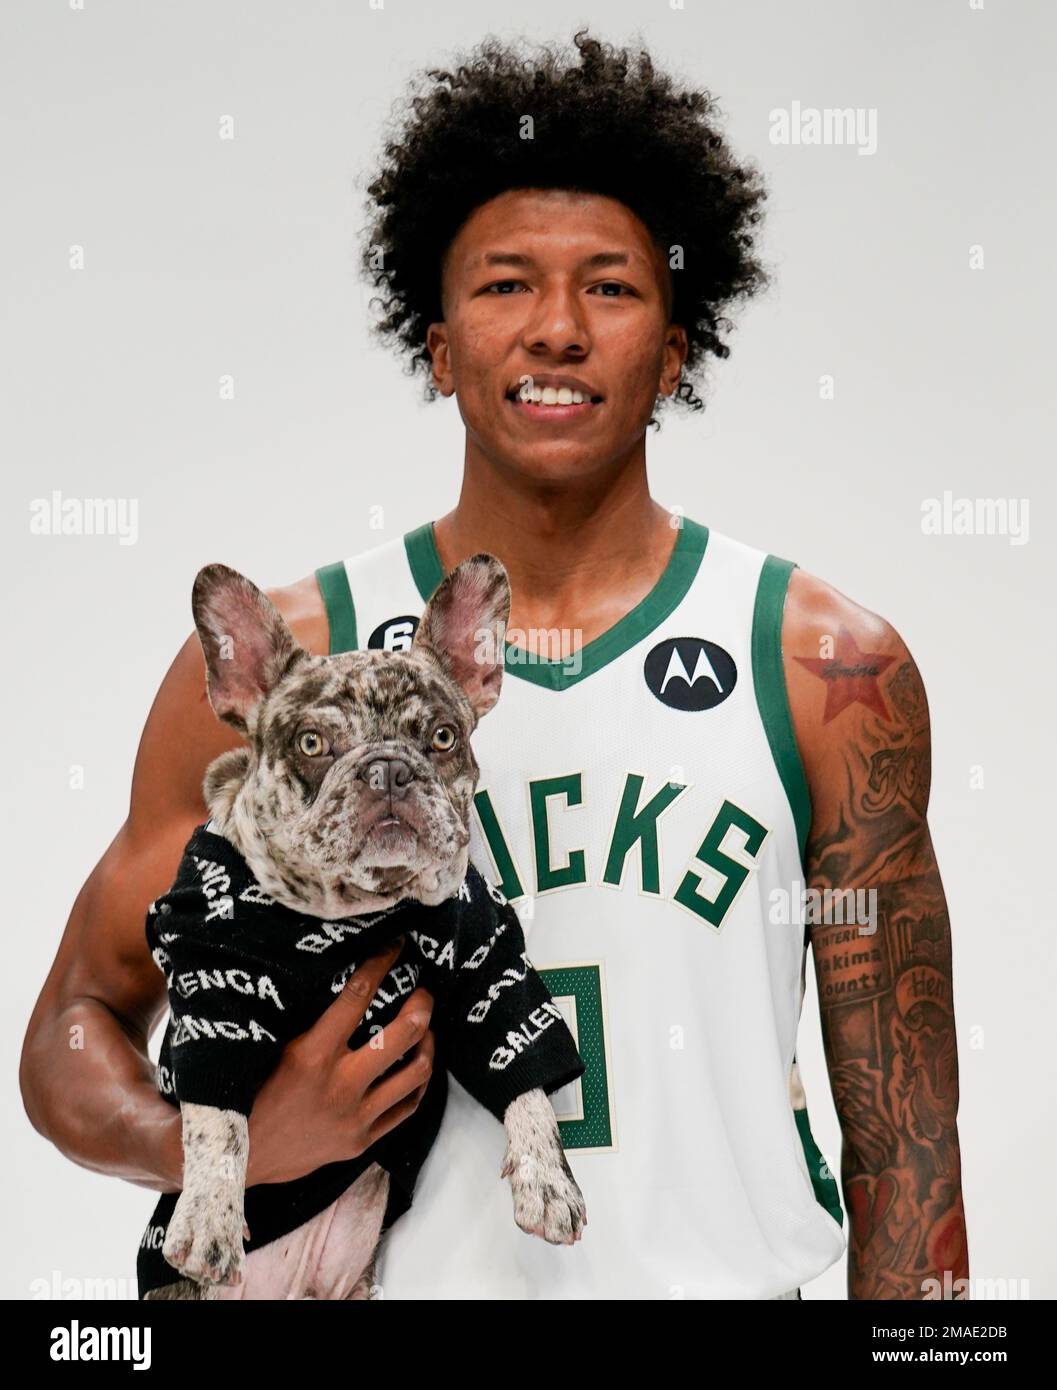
(465, 628)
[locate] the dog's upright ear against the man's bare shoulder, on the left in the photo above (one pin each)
(245, 641)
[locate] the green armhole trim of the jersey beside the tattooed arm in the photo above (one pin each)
(773, 697)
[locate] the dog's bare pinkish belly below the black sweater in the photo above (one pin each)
(329, 1257)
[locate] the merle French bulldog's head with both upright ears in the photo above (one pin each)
(355, 789)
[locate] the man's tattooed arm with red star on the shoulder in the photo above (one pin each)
(885, 992)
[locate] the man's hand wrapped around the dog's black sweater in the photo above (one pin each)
(326, 1103)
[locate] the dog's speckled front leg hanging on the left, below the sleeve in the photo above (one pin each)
(205, 1234)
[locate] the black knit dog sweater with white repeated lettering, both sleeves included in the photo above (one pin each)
(247, 975)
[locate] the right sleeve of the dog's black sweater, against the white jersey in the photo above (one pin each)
(504, 1035)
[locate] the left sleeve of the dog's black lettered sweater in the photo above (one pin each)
(227, 1013)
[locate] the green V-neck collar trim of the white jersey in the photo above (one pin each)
(647, 615)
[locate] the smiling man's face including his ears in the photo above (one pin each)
(565, 293)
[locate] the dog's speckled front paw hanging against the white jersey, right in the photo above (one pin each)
(547, 1200)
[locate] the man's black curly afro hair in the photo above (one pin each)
(639, 138)
